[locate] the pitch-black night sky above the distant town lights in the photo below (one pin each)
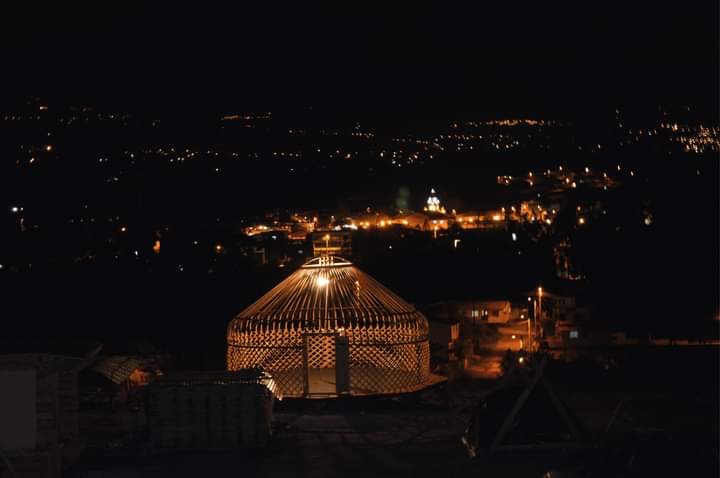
(490, 57)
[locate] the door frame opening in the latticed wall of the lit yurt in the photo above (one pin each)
(326, 364)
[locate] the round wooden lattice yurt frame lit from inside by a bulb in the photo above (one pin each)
(329, 329)
